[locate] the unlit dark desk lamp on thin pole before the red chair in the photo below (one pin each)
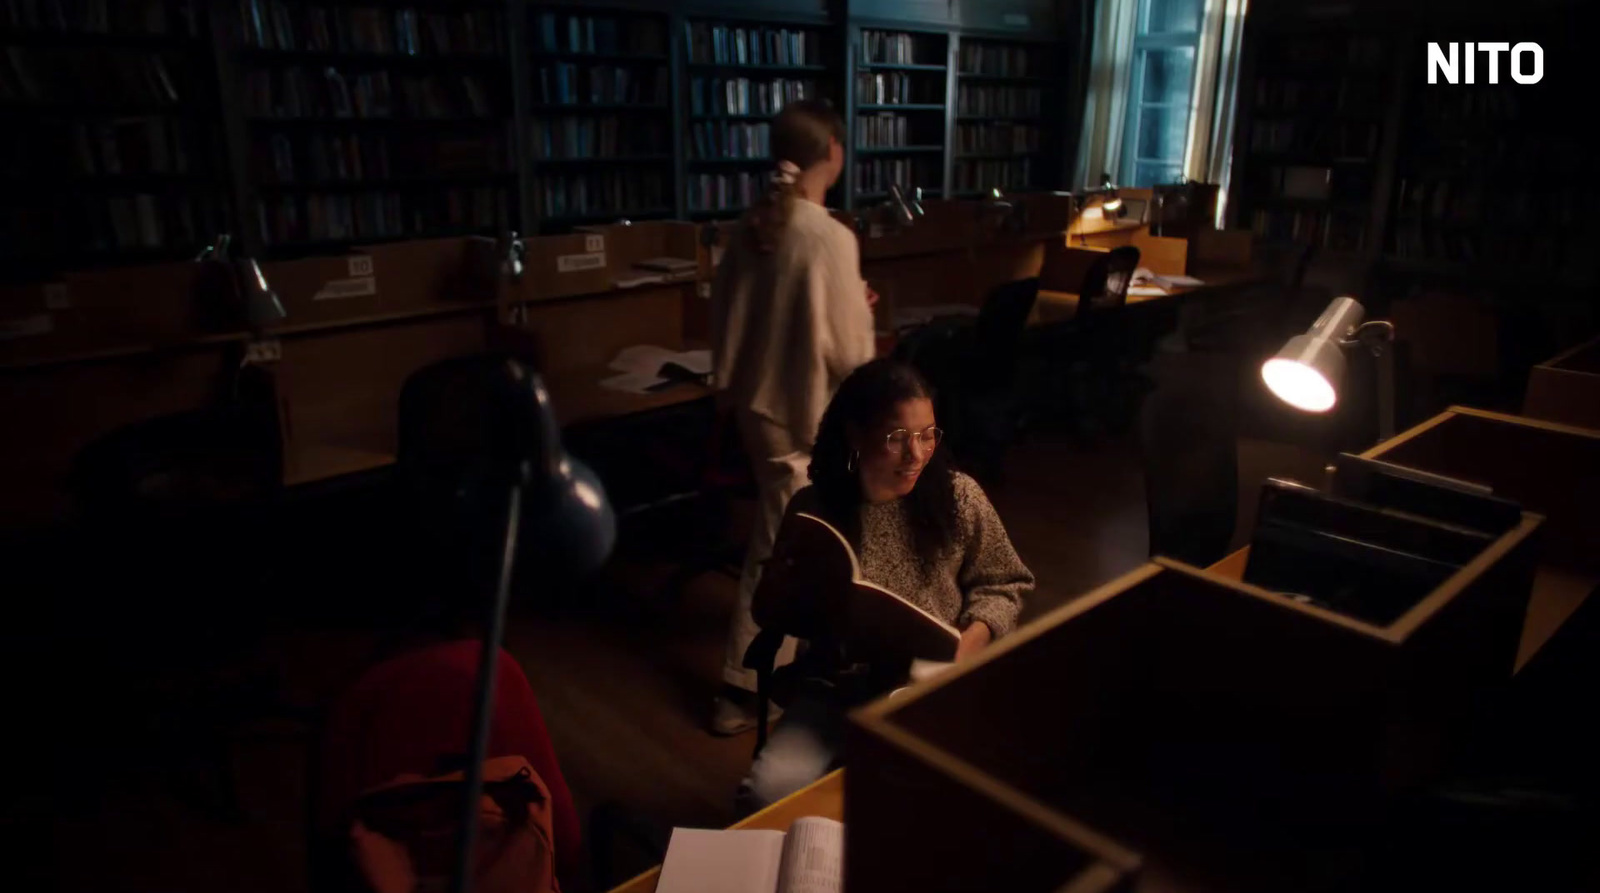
(556, 511)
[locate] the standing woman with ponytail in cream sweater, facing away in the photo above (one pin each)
(791, 318)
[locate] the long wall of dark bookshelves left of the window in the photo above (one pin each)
(313, 126)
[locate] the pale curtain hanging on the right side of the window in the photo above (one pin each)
(1210, 153)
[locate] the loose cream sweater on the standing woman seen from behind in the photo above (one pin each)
(790, 326)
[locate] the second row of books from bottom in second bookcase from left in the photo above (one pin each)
(330, 158)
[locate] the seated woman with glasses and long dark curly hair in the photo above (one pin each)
(919, 529)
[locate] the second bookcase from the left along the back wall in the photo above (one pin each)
(374, 124)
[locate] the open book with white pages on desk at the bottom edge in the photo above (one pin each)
(807, 860)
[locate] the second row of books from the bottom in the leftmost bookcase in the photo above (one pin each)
(106, 148)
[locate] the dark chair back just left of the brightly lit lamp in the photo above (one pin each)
(1188, 444)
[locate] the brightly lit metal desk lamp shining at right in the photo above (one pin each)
(1308, 370)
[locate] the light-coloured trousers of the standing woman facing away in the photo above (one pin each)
(780, 468)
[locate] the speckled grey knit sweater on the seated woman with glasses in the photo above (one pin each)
(980, 579)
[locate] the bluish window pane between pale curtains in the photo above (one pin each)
(1161, 92)
